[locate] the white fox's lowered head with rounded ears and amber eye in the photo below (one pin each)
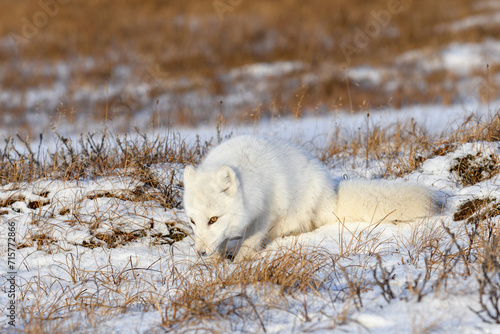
(214, 203)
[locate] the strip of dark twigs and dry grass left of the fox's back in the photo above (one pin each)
(96, 155)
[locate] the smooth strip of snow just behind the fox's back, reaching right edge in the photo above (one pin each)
(314, 131)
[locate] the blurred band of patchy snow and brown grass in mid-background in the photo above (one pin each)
(129, 104)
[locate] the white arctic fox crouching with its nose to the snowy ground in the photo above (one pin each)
(254, 189)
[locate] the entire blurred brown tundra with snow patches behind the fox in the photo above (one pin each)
(133, 63)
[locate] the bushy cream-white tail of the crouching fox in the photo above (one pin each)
(376, 200)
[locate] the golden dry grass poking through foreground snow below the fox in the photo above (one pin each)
(195, 296)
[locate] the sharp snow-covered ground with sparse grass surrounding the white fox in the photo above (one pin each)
(92, 257)
